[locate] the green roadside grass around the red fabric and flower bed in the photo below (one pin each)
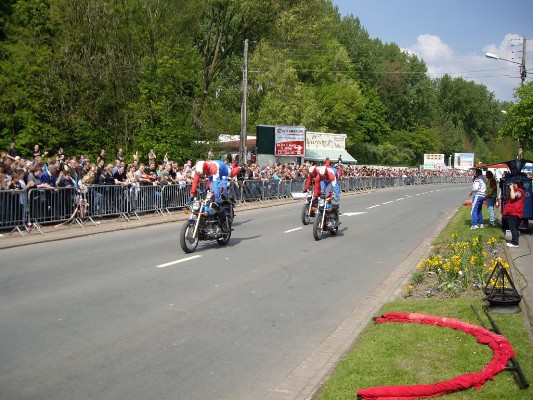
(406, 354)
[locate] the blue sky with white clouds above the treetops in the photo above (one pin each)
(452, 36)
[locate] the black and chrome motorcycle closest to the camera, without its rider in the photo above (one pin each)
(208, 221)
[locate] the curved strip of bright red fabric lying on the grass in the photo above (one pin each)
(501, 348)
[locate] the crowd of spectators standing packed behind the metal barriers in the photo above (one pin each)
(61, 170)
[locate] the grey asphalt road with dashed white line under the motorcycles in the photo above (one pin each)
(128, 315)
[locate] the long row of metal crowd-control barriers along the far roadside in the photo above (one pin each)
(26, 210)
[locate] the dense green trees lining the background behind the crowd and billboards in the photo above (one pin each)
(166, 74)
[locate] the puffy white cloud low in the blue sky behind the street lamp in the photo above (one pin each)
(500, 77)
